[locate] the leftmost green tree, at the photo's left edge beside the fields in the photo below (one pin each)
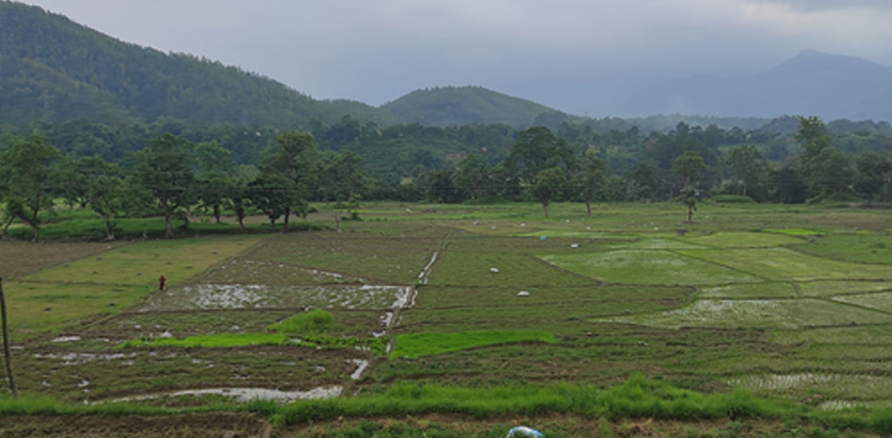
(30, 166)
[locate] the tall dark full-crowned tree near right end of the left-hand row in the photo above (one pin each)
(288, 161)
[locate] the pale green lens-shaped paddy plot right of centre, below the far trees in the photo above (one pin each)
(648, 267)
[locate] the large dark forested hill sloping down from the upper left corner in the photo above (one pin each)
(53, 69)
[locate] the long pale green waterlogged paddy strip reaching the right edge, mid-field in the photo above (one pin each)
(789, 314)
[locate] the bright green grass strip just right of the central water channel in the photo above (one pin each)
(426, 344)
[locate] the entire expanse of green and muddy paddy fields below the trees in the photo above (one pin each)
(790, 325)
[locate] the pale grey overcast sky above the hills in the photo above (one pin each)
(576, 55)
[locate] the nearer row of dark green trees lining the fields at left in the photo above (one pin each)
(172, 176)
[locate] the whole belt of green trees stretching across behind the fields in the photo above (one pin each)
(171, 175)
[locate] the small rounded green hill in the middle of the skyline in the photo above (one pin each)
(451, 106)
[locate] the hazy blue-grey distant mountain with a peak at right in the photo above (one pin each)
(811, 83)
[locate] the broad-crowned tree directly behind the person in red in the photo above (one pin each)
(165, 168)
